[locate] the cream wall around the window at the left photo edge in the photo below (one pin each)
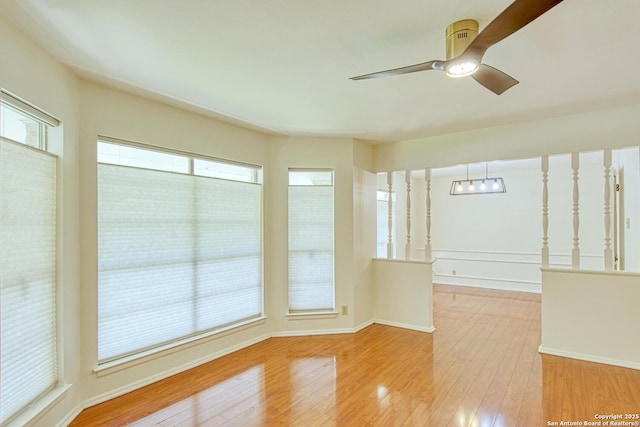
(29, 72)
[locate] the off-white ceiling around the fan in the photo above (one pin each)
(283, 66)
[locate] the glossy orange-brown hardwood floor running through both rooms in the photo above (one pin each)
(480, 368)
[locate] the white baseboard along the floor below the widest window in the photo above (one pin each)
(167, 373)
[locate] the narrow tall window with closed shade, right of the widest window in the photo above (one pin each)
(311, 241)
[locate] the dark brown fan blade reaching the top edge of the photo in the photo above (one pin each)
(514, 17)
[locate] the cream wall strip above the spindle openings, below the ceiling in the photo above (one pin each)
(595, 130)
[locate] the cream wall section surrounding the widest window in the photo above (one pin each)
(112, 113)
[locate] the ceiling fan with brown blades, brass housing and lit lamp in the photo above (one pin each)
(465, 47)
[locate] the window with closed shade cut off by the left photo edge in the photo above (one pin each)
(27, 257)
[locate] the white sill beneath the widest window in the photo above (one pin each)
(124, 363)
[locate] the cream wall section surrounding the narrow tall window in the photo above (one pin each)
(309, 152)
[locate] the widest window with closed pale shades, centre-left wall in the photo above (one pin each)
(179, 247)
